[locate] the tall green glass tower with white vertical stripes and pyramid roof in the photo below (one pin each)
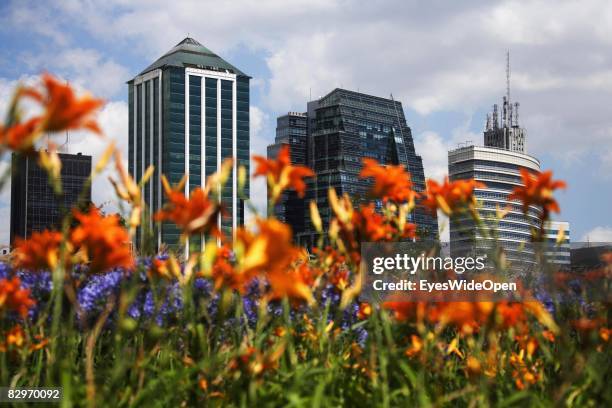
(189, 111)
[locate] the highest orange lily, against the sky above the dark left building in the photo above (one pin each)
(63, 109)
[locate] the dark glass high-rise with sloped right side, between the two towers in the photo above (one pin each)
(342, 128)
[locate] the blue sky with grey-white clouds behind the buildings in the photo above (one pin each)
(445, 61)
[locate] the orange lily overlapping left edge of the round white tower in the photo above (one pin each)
(451, 197)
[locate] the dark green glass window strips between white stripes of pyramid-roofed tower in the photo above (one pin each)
(174, 125)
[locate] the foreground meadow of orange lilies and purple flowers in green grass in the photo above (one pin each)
(253, 319)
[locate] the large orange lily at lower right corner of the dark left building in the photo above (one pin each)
(102, 241)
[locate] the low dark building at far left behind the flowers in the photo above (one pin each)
(34, 205)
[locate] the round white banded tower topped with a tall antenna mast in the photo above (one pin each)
(497, 164)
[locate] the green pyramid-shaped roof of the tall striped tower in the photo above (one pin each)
(191, 53)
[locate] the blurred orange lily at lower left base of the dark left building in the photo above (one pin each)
(39, 252)
